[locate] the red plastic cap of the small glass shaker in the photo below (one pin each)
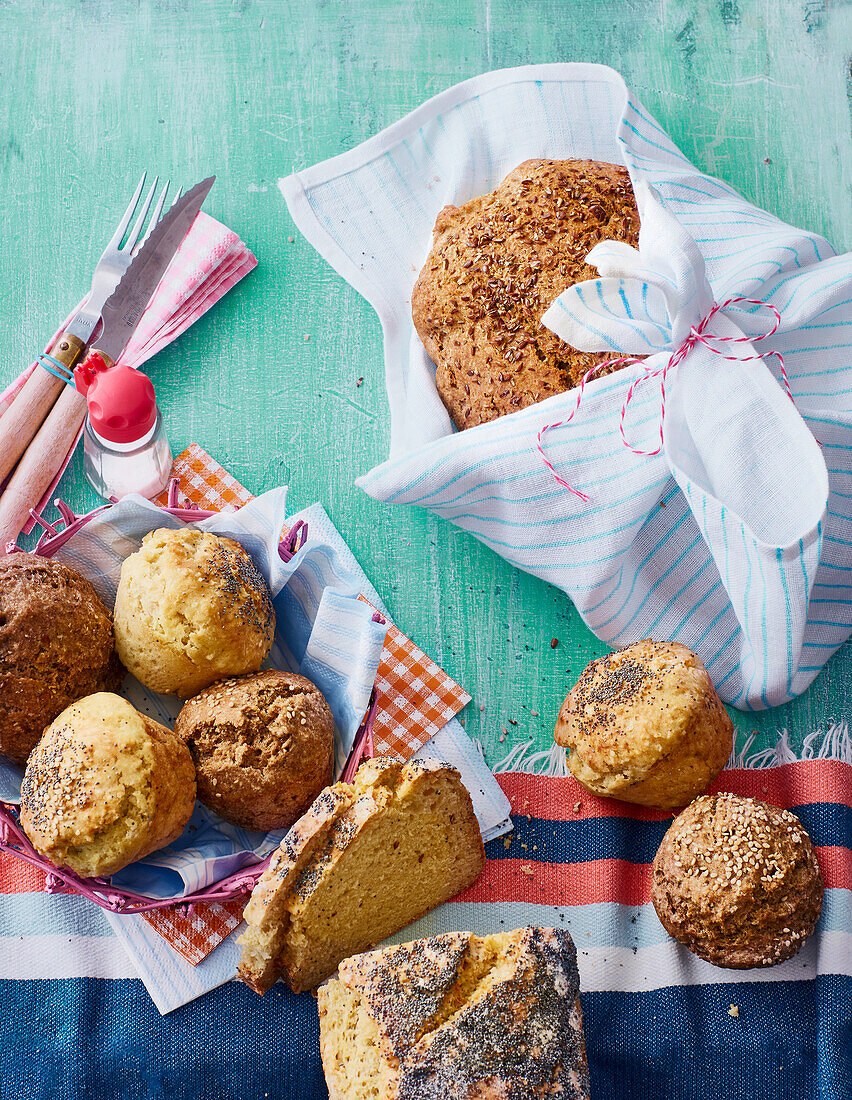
(121, 401)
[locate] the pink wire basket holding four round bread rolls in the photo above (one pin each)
(101, 890)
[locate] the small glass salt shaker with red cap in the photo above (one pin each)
(126, 449)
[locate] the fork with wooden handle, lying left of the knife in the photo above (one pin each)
(35, 401)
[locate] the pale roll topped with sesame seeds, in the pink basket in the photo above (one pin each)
(106, 786)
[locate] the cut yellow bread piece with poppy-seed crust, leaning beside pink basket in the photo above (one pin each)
(364, 862)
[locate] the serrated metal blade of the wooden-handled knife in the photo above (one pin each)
(124, 310)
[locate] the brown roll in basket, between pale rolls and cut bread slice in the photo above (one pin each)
(263, 747)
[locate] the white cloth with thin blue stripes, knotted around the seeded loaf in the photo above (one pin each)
(747, 562)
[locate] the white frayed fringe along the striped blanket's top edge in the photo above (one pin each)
(832, 744)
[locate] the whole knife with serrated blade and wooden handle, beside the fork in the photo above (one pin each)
(121, 314)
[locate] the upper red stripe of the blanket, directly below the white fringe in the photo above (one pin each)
(790, 785)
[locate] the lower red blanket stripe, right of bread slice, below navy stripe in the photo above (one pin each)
(600, 881)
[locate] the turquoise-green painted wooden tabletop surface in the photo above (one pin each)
(759, 93)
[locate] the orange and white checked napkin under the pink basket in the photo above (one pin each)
(416, 699)
